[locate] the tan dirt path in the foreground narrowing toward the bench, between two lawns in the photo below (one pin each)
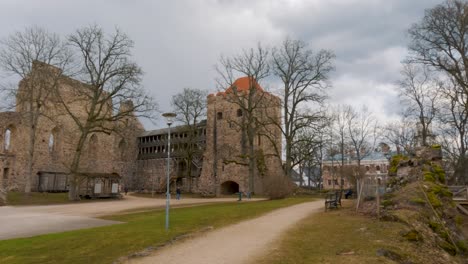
(237, 243)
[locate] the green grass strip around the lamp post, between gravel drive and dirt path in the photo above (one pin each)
(140, 230)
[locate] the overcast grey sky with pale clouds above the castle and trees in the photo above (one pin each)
(178, 42)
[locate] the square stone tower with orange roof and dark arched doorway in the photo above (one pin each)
(225, 161)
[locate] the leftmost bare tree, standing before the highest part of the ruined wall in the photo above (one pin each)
(27, 54)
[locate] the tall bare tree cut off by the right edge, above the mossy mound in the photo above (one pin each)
(440, 40)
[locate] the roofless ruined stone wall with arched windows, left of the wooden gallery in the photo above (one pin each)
(57, 136)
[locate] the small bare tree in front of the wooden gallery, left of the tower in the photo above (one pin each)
(190, 106)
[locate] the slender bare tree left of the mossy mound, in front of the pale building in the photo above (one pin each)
(362, 129)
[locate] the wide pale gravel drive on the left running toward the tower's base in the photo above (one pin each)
(27, 221)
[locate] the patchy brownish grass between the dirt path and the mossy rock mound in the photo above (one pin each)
(342, 237)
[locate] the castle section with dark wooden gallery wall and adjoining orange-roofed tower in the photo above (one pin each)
(220, 164)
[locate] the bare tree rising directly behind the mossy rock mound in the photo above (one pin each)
(420, 93)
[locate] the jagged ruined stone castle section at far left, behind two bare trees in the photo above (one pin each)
(104, 156)
